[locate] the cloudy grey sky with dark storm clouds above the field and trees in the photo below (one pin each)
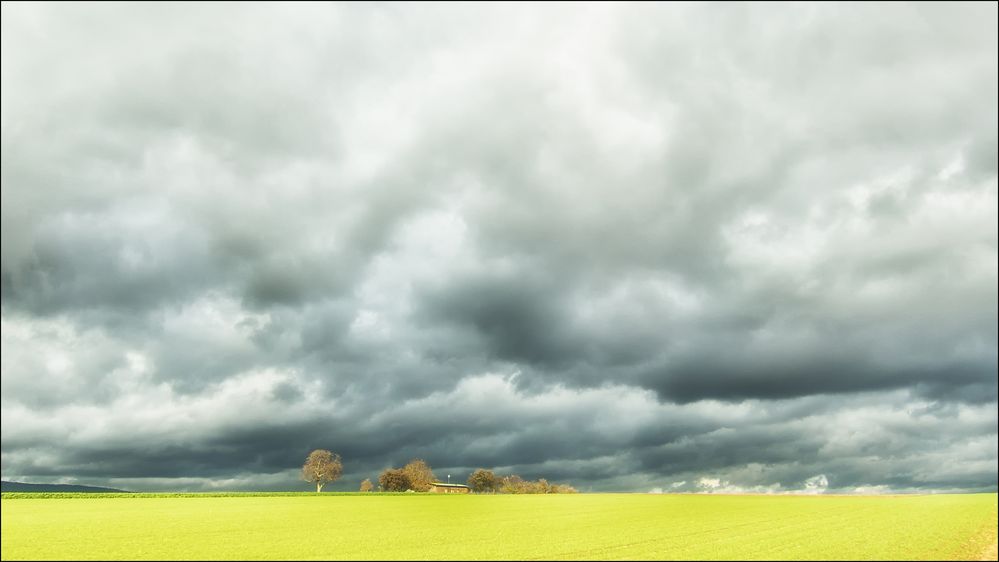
(629, 247)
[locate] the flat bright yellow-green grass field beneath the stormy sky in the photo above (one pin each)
(583, 526)
